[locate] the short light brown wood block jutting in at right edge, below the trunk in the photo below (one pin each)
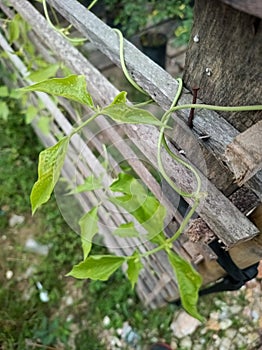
(244, 154)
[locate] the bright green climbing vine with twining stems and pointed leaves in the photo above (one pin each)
(134, 198)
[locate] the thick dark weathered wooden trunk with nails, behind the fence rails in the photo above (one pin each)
(224, 59)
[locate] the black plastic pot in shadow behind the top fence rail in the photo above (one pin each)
(154, 46)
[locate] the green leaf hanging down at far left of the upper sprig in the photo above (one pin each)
(50, 163)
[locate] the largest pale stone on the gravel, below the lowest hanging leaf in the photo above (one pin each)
(184, 325)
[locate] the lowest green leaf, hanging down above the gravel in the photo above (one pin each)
(189, 283)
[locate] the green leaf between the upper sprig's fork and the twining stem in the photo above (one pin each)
(122, 113)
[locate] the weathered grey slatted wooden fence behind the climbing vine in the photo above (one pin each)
(216, 157)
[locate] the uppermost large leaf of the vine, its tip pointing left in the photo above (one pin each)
(72, 87)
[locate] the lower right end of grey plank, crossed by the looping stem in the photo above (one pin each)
(220, 214)
